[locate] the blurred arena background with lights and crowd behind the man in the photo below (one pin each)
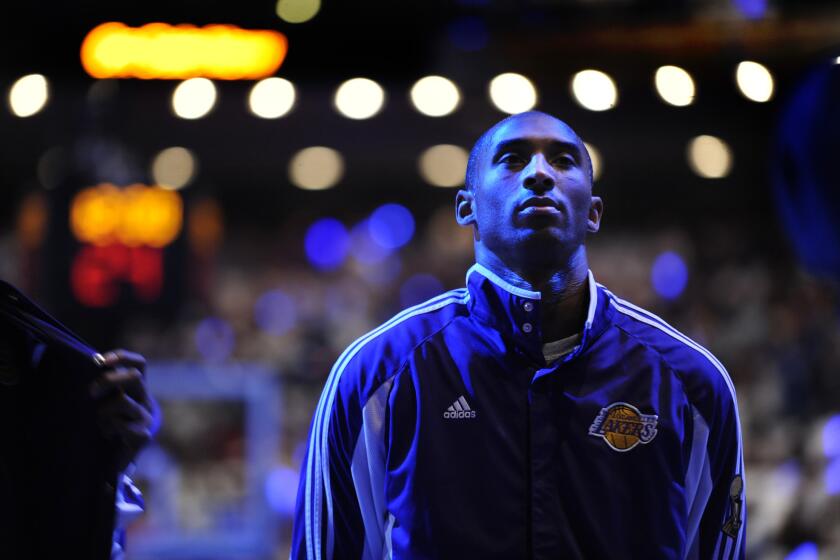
(241, 232)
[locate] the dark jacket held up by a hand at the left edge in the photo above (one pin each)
(58, 482)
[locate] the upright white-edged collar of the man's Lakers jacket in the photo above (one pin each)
(515, 311)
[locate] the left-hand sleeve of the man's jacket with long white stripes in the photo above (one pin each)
(328, 521)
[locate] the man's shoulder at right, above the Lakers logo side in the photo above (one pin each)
(696, 365)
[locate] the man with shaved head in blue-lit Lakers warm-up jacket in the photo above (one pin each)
(533, 414)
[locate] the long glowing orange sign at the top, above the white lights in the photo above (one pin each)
(163, 51)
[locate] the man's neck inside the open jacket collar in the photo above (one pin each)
(563, 287)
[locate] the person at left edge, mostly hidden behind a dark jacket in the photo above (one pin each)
(71, 422)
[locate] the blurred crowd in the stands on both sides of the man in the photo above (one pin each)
(773, 325)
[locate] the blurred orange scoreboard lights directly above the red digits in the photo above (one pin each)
(133, 216)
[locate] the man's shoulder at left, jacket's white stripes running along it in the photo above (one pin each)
(384, 348)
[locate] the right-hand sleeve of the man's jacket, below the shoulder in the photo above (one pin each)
(722, 515)
